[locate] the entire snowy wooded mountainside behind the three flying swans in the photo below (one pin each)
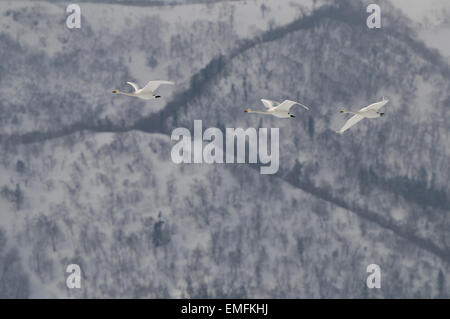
(86, 176)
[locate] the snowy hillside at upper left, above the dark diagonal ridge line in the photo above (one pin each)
(56, 77)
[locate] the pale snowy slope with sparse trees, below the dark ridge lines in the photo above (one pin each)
(140, 226)
